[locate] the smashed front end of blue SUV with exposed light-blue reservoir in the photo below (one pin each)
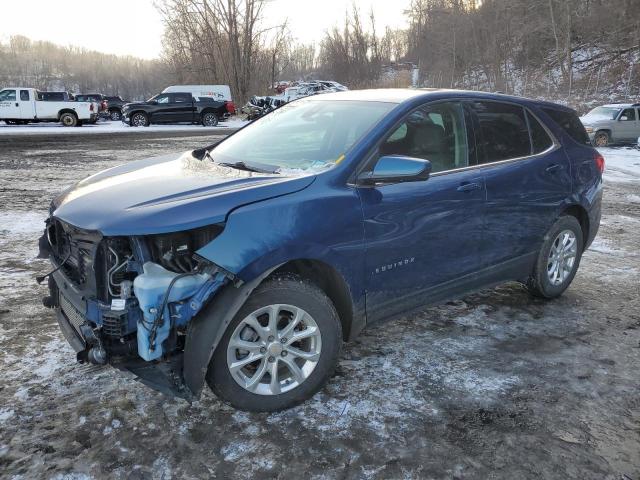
(128, 300)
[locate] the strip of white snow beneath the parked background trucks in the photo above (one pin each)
(108, 126)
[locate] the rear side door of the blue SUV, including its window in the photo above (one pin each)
(527, 179)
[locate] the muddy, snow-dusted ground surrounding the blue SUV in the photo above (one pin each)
(496, 385)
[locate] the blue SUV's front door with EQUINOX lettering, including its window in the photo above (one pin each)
(423, 236)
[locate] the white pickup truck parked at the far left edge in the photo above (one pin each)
(23, 105)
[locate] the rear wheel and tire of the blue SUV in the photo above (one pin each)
(558, 259)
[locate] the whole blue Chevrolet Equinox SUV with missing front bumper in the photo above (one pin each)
(246, 264)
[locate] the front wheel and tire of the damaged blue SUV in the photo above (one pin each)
(280, 348)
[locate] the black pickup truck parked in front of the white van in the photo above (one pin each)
(175, 108)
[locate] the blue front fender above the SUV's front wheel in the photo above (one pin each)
(315, 223)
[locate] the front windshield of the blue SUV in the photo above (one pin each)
(302, 135)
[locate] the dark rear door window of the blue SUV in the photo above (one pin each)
(503, 131)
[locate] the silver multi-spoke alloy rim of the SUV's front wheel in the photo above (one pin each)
(274, 349)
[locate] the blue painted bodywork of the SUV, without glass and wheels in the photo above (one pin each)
(396, 246)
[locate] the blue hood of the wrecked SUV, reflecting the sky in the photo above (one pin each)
(167, 194)
